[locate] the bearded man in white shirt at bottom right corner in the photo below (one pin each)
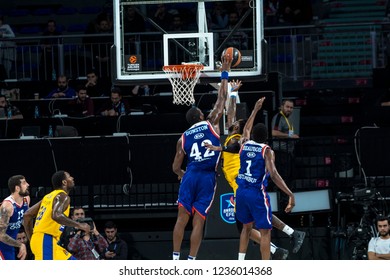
(379, 247)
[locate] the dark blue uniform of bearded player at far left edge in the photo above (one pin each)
(15, 222)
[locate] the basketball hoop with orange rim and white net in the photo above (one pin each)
(183, 79)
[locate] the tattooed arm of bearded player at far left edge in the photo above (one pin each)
(6, 211)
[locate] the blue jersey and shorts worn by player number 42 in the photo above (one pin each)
(198, 184)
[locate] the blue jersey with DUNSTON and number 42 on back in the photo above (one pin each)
(193, 144)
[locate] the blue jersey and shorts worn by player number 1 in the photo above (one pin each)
(252, 200)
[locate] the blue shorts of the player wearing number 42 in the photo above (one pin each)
(197, 191)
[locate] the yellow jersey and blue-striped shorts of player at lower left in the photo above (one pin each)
(47, 232)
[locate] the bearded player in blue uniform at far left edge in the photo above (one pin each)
(12, 210)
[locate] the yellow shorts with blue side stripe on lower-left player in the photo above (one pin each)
(45, 247)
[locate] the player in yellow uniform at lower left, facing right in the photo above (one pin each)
(51, 215)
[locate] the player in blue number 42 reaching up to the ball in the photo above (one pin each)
(198, 181)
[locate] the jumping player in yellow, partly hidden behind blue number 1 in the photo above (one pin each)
(231, 165)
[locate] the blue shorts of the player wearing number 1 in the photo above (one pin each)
(254, 205)
